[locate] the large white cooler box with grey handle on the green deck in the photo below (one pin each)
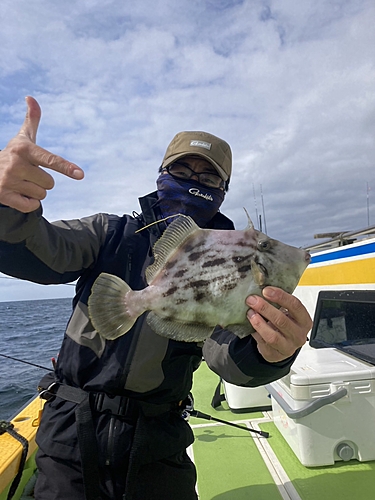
(325, 407)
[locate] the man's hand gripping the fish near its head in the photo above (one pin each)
(279, 332)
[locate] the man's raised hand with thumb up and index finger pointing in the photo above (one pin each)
(23, 184)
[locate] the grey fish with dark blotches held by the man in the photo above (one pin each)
(199, 280)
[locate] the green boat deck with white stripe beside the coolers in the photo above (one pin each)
(233, 464)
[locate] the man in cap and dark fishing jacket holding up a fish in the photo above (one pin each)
(112, 428)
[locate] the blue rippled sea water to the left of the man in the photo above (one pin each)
(31, 331)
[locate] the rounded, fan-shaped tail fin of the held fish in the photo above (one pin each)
(107, 309)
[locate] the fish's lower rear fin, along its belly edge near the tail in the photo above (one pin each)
(186, 332)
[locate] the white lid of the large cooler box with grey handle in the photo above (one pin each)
(324, 366)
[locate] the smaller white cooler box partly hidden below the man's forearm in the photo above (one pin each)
(246, 399)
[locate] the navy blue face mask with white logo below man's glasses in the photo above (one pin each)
(188, 198)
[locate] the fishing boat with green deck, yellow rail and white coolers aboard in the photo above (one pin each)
(302, 447)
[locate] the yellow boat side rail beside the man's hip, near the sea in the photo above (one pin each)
(26, 424)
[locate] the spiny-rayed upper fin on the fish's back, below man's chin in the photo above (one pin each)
(173, 237)
